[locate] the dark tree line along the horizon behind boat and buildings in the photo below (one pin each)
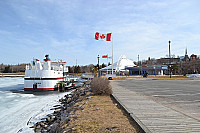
(179, 66)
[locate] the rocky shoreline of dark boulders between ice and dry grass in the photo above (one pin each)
(62, 114)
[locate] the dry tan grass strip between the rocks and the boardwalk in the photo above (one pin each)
(100, 115)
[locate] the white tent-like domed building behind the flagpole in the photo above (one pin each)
(119, 66)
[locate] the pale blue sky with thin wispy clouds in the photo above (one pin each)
(65, 29)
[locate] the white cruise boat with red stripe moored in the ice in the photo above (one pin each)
(45, 75)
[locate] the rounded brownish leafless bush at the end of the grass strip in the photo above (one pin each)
(101, 86)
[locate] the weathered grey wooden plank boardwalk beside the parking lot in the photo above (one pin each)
(152, 116)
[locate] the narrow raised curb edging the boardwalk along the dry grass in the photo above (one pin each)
(132, 116)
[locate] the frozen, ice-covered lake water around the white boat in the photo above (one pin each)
(17, 108)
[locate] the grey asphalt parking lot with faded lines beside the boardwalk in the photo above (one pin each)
(181, 95)
